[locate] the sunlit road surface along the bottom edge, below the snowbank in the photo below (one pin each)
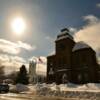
(11, 96)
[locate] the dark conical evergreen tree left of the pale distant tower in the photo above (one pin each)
(22, 76)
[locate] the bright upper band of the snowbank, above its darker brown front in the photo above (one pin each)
(63, 87)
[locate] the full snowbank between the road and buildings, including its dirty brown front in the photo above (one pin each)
(89, 91)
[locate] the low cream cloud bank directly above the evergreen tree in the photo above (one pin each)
(11, 63)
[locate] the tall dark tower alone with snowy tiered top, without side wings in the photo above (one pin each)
(64, 44)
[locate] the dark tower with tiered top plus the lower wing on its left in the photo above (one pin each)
(60, 63)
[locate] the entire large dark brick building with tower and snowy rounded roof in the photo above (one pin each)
(72, 62)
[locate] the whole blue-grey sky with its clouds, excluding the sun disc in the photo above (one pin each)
(44, 19)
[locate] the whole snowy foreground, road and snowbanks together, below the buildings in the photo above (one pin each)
(68, 91)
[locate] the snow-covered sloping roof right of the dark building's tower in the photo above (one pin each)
(80, 45)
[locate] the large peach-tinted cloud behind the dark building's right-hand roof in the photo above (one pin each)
(90, 32)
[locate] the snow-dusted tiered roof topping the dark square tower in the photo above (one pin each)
(65, 33)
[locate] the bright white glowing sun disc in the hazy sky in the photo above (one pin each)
(18, 25)
